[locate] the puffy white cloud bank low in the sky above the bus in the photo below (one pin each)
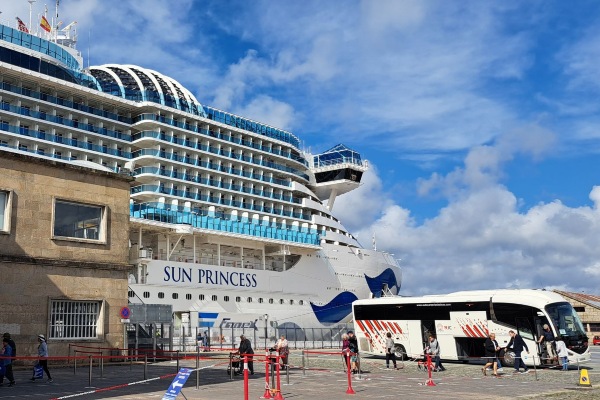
(481, 239)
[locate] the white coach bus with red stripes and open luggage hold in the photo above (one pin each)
(461, 322)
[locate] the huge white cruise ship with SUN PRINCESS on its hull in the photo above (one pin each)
(231, 220)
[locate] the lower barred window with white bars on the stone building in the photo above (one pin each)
(75, 319)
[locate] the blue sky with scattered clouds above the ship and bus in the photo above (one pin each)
(479, 119)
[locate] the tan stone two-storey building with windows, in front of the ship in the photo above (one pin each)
(64, 243)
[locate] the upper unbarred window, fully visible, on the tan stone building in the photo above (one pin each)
(80, 221)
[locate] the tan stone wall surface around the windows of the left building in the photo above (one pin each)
(35, 268)
